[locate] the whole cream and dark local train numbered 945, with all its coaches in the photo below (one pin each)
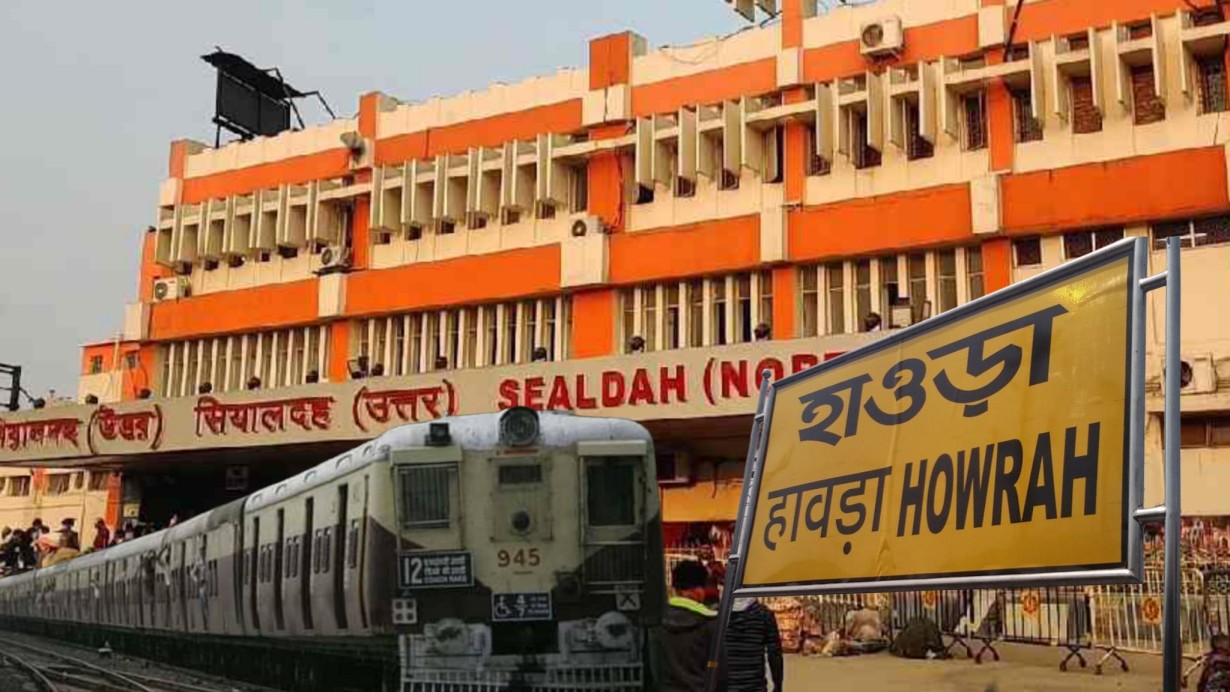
(506, 551)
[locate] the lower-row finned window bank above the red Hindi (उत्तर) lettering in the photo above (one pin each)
(505, 334)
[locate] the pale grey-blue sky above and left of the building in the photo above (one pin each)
(93, 94)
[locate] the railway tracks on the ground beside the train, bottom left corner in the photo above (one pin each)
(55, 672)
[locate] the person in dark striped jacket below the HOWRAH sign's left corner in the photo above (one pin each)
(751, 639)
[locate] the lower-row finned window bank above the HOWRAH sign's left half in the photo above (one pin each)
(837, 298)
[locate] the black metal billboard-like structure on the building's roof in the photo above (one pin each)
(253, 101)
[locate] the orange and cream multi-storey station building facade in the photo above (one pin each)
(506, 246)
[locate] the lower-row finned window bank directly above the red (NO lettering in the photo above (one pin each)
(696, 313)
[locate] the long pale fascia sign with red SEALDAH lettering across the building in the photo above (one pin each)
(669, 384)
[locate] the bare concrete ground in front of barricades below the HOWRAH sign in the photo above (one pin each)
(1022, 669)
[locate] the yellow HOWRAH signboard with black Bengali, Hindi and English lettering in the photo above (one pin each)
(991, 442)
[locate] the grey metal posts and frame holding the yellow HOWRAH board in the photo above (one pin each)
(1170, 513)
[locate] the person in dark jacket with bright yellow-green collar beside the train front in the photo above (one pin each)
(688, 630)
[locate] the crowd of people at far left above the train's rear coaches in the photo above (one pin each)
(38, 545)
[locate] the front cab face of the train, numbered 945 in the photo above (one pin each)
(528, 551)
